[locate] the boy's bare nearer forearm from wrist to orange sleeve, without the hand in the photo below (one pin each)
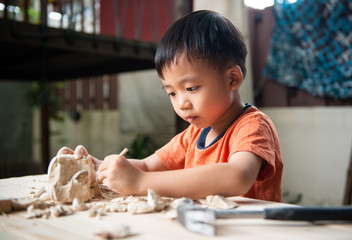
(227, 179)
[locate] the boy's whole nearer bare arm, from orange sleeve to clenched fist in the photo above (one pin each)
(227, 179)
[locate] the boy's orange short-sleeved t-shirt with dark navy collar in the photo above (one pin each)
(252, 131)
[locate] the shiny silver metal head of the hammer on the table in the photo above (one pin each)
(196, 219)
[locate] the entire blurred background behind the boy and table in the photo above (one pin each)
(81, 72)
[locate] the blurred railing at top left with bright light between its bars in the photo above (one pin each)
(64, 14)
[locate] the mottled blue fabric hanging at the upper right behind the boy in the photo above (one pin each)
(311, 47)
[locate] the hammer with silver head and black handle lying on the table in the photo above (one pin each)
(200, 220)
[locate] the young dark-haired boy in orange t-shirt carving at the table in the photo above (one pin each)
(230, 148)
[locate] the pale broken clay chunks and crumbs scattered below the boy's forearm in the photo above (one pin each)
(110, 202)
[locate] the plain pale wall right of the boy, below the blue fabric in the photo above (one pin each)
(316, 144)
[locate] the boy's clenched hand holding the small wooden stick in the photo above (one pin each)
(121, 176)
